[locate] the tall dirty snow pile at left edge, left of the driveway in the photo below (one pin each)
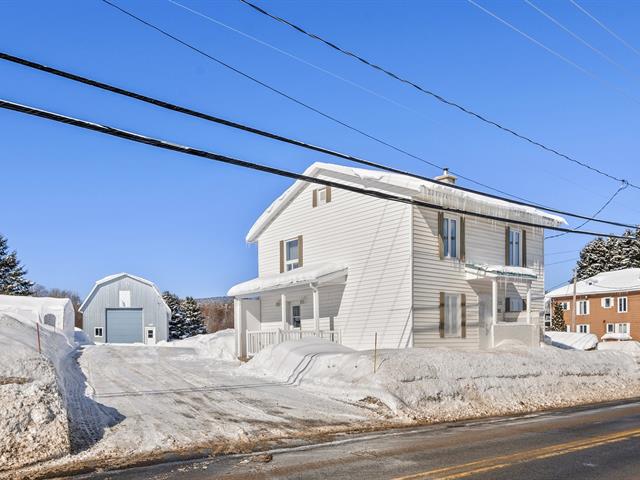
(33, 419)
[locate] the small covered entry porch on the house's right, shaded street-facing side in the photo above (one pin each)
(505, 304)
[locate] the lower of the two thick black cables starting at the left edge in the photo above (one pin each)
(166, 145)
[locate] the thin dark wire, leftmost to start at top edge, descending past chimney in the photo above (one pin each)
(303, 104)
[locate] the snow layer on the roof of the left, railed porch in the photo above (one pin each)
(299, 276)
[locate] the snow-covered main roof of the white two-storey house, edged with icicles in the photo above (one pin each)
(408, 187)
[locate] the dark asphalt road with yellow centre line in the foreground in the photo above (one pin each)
(582, 443)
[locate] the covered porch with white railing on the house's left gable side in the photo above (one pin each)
(300, 303)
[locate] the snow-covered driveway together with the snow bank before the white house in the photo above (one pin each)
(132, 403)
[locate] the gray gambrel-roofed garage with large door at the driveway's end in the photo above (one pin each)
(124, 308)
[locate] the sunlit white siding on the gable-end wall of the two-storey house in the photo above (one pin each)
(373, 238)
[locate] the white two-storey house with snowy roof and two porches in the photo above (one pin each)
(348, 266)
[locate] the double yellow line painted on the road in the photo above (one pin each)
(503, 461)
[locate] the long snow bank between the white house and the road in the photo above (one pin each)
(441, 385)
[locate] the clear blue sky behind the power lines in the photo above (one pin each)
(68, 195)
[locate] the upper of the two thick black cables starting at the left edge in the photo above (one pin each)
(273, 136)
